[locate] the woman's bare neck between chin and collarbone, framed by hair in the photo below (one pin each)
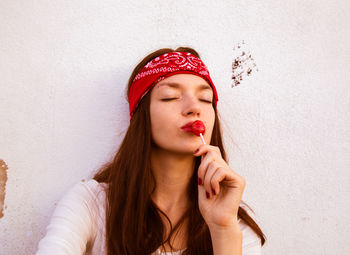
(172, 172)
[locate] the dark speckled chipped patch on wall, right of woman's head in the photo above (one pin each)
(243, 64)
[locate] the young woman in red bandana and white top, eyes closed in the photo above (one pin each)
(167, 190)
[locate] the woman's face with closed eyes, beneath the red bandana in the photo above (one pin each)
(176, 101)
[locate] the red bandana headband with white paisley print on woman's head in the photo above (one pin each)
(164, 66)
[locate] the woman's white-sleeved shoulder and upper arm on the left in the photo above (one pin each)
(76, 219)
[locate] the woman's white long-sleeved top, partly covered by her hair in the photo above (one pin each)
(78, 225)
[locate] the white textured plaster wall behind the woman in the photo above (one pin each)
(64, 66)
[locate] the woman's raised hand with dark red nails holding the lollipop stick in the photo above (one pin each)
(220, 189)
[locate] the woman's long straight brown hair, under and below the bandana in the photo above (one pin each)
(133, 221)
